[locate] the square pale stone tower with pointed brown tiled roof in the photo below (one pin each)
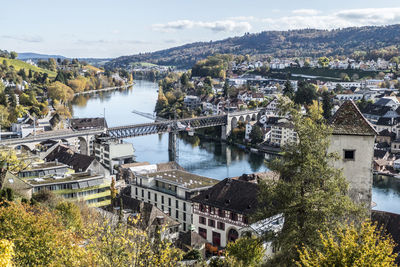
(353, 140)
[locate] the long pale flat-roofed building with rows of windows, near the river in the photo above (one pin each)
(169, 190)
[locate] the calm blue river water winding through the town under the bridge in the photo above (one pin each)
(206, 158)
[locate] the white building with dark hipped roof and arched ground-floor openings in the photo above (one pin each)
(220, 212)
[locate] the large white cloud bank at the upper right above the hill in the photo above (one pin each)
(339, 19)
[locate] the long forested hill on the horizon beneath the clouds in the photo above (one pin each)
(292, 43)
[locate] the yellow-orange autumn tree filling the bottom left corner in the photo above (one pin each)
(39, 239)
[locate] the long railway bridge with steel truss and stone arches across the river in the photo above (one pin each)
(86, 137)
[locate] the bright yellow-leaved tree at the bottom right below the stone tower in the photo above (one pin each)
(351, 246)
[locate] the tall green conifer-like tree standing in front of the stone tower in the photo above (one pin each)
(310, 193)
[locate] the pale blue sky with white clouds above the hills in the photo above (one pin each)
(112, 28)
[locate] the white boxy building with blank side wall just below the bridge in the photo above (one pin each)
(113, 153)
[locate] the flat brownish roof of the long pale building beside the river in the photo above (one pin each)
(185, 179)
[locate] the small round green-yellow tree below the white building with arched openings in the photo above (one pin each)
(248, 251)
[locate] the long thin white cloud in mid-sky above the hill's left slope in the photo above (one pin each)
(216, 26)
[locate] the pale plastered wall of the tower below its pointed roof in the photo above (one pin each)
(358, 172)
